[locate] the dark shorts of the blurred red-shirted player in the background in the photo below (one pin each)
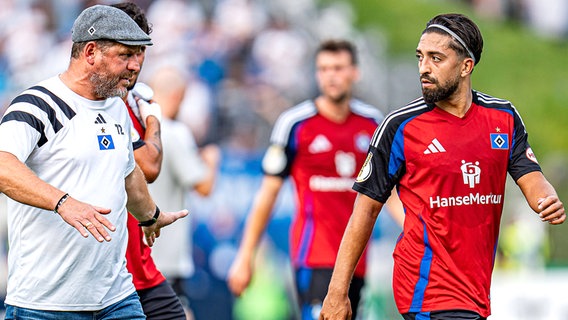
(312, 285)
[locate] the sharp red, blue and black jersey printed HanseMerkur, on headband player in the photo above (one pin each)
(450, 173)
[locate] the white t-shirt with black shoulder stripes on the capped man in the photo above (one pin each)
(82, 147)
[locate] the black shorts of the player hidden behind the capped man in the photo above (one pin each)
(161, 303)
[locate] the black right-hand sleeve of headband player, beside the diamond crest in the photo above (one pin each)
(522, 160)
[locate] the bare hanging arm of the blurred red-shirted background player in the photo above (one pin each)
(241, 270)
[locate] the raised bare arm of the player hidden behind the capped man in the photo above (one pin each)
(149, 156)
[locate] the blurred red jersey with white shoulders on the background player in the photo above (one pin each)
(323, 158)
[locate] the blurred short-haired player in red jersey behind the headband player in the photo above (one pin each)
(320, 144)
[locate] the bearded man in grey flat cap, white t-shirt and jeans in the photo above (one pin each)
(67, 164)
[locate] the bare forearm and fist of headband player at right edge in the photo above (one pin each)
(542, 197)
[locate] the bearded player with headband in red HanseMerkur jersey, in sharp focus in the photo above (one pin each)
(448, 154)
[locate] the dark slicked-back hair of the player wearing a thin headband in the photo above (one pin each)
(464, 28)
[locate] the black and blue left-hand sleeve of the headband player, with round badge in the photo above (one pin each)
(384, 165)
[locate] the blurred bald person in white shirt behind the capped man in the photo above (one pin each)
(185, 168)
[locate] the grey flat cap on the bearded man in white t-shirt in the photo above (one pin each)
(101, 22)
